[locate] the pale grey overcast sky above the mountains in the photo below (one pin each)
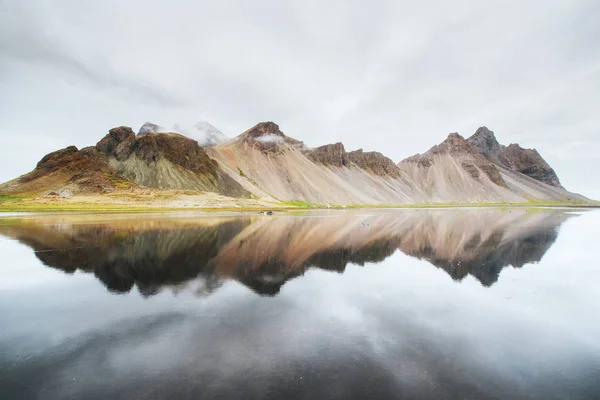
(391, 76)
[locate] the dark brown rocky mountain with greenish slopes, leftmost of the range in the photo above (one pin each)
(122, 160)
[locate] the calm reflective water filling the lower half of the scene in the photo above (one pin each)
(433, 304)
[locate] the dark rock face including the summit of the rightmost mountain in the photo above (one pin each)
(526, 161)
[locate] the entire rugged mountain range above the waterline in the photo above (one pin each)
(264, 163)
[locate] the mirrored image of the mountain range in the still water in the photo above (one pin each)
(263, 252)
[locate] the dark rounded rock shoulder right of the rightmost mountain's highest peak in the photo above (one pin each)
(530, 163)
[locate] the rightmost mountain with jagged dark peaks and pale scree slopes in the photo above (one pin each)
(479, 169)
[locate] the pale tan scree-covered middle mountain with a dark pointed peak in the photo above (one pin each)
(270, 164)
